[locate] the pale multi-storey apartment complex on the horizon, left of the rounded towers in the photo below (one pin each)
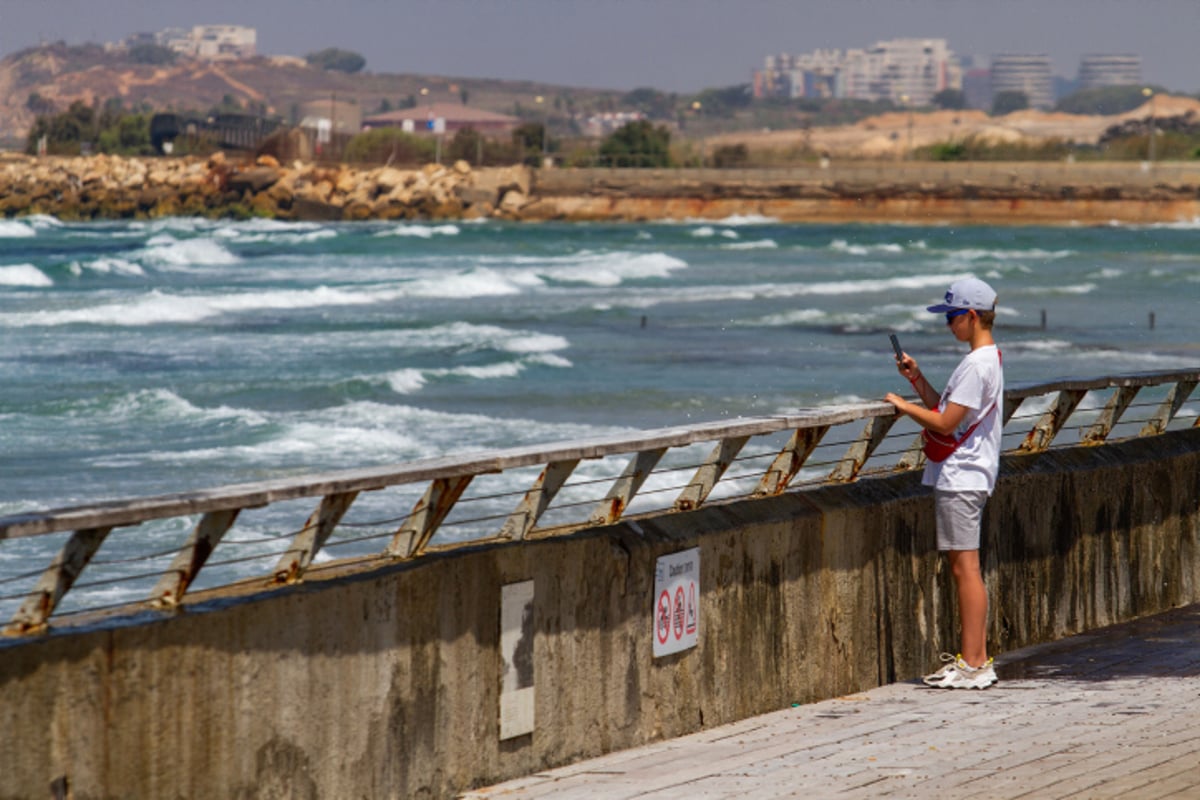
(907, 71)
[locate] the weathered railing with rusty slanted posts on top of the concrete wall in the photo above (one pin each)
(364, 518)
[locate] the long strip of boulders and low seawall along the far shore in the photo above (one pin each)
(104, 188)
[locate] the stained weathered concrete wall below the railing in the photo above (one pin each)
(387, 684)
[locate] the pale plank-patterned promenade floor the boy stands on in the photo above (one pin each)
(1111, 714)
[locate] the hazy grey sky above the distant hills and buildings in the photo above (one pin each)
(673, 45)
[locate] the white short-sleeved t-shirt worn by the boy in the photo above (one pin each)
(979, 384)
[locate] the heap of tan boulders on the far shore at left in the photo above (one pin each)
(109, 188)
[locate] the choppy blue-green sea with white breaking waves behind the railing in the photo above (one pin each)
(145, 358)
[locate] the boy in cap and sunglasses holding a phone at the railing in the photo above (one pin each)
(969, 411)
